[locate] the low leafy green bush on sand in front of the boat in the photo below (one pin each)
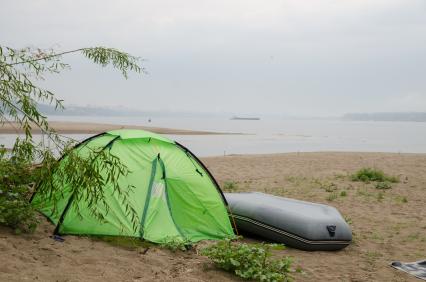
(249, 261)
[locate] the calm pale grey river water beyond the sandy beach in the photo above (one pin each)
(275, 135)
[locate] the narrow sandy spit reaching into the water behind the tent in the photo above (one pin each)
(64, 127)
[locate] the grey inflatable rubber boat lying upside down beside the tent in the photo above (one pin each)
(298, 224)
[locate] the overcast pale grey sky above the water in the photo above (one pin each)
(305, 58)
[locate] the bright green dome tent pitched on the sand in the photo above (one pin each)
(175, 196)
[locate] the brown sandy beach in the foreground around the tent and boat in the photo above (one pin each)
(387, 225)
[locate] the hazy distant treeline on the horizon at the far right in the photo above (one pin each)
(399, 116)
